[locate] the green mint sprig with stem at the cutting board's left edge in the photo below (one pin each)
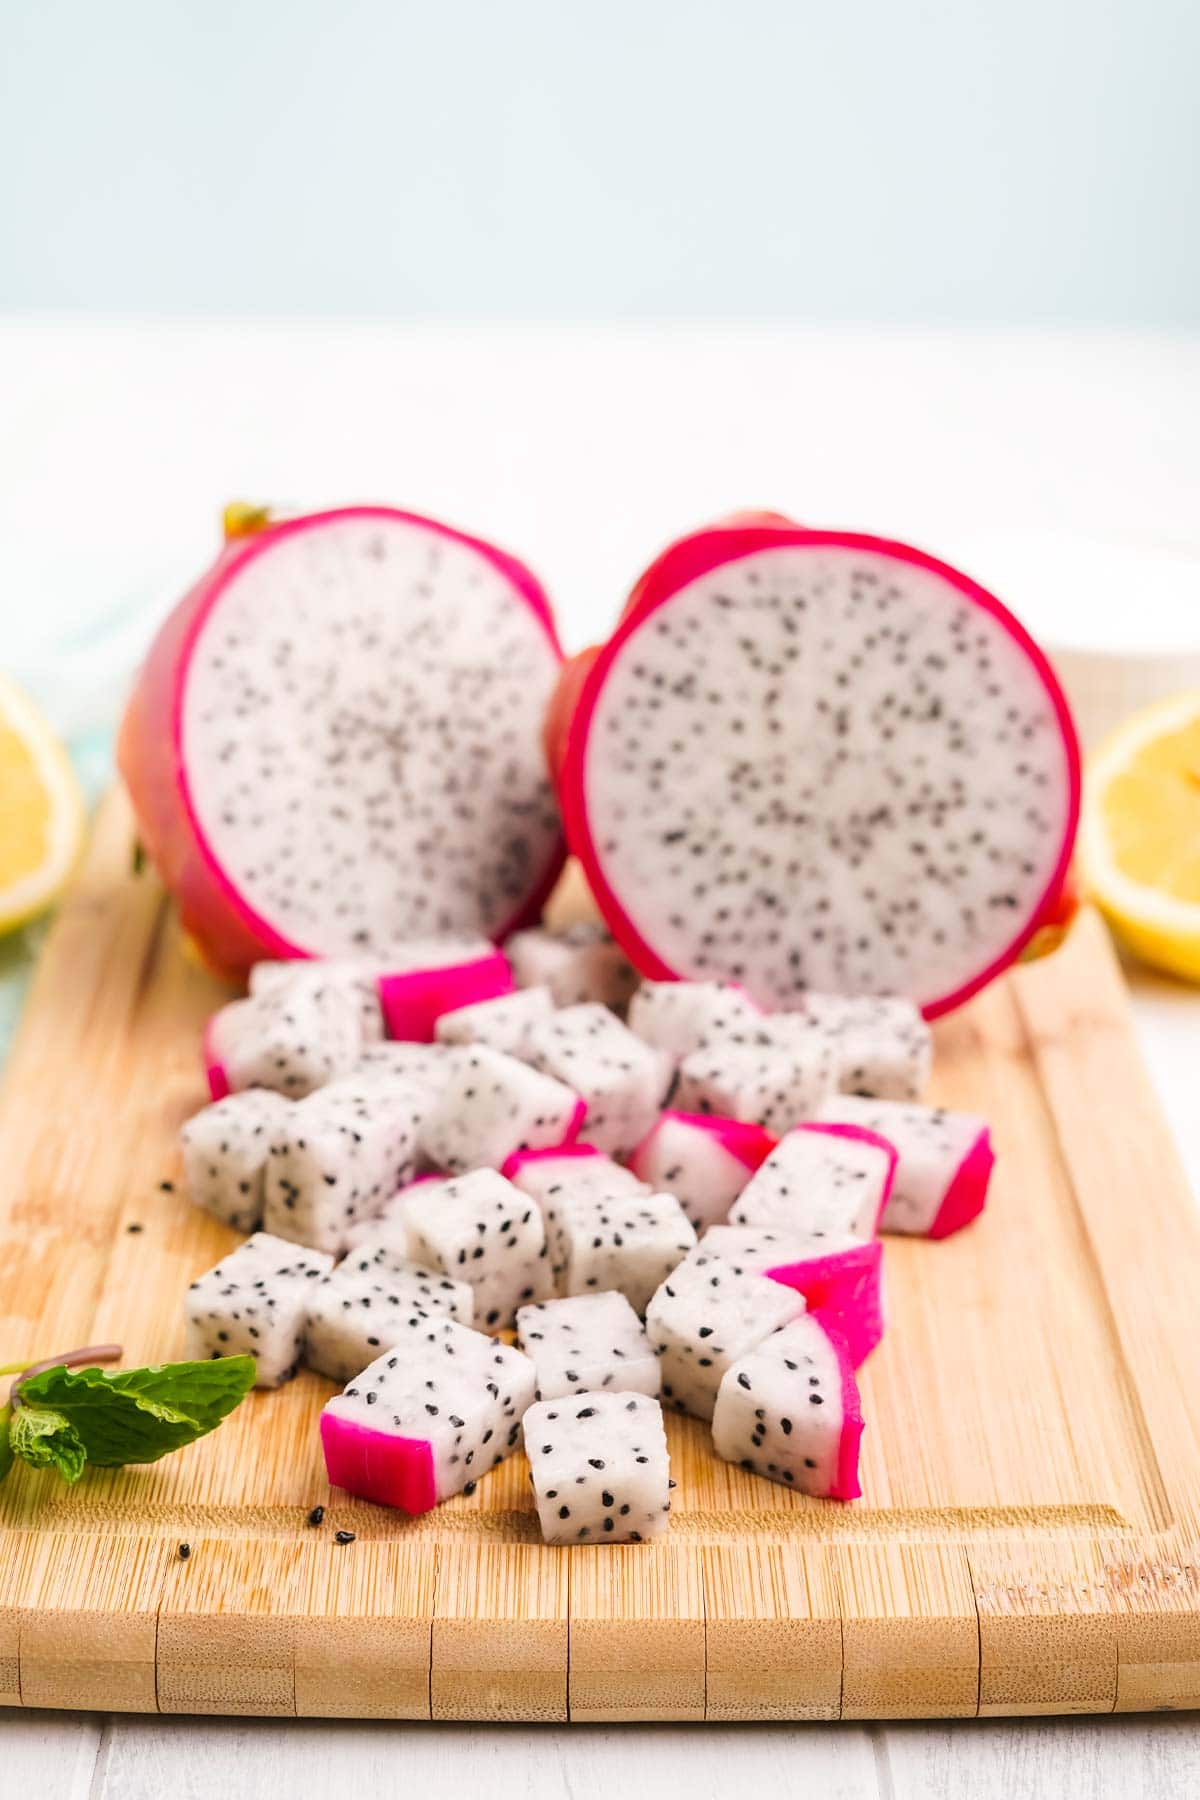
(62, 1417)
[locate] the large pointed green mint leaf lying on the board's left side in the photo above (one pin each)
(136, 1416)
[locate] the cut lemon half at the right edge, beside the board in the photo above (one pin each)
(1140, 838)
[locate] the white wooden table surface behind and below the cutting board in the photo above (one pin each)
(584, 451)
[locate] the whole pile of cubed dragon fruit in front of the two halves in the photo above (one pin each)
(672, 1198)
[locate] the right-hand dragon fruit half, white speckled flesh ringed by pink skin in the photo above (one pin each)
(818, 760)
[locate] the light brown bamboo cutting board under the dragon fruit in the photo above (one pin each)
(1030, 1529)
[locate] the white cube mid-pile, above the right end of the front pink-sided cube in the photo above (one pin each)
(483, 1230)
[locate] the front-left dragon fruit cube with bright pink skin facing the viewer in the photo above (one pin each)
(431, 1419)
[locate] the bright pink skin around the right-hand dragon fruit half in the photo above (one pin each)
(690, 561)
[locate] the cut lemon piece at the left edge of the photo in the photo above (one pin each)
(42, 813)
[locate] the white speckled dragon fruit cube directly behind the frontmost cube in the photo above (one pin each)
(591, 1342)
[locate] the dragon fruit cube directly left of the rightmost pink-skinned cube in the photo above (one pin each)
(821, 1185)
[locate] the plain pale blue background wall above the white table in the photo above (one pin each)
(965, 161)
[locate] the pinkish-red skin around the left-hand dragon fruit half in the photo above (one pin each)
(226, 928)
